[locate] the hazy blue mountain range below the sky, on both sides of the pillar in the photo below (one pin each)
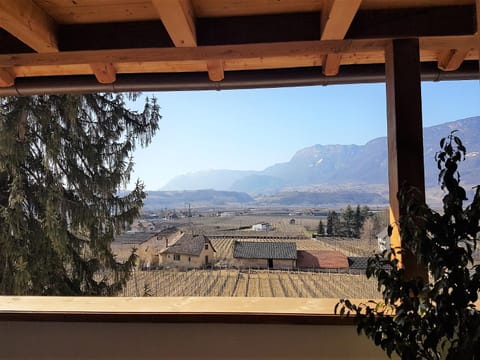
(340, 164)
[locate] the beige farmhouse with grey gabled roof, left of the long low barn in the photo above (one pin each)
(189, 251)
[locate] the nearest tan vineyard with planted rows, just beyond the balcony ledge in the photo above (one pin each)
(249, 283)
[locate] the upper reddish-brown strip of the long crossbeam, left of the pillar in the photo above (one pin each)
(262, 52)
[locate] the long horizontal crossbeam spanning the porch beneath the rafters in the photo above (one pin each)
(234, 57)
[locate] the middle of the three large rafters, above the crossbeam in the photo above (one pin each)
(179, 20)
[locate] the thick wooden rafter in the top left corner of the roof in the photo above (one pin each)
(27, 22)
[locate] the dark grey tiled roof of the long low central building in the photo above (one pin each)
(265, 250)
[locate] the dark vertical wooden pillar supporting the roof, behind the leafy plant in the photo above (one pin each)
(405, 134)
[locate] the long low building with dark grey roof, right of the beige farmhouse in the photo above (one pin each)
(272, 255)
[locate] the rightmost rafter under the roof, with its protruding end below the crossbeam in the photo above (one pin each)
(335, 22)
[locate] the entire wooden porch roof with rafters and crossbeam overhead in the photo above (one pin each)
(113, 45)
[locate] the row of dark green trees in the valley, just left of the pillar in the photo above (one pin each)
(357, 223)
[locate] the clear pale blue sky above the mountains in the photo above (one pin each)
(253, 129)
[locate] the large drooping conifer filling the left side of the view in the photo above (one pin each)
(63, 159)
